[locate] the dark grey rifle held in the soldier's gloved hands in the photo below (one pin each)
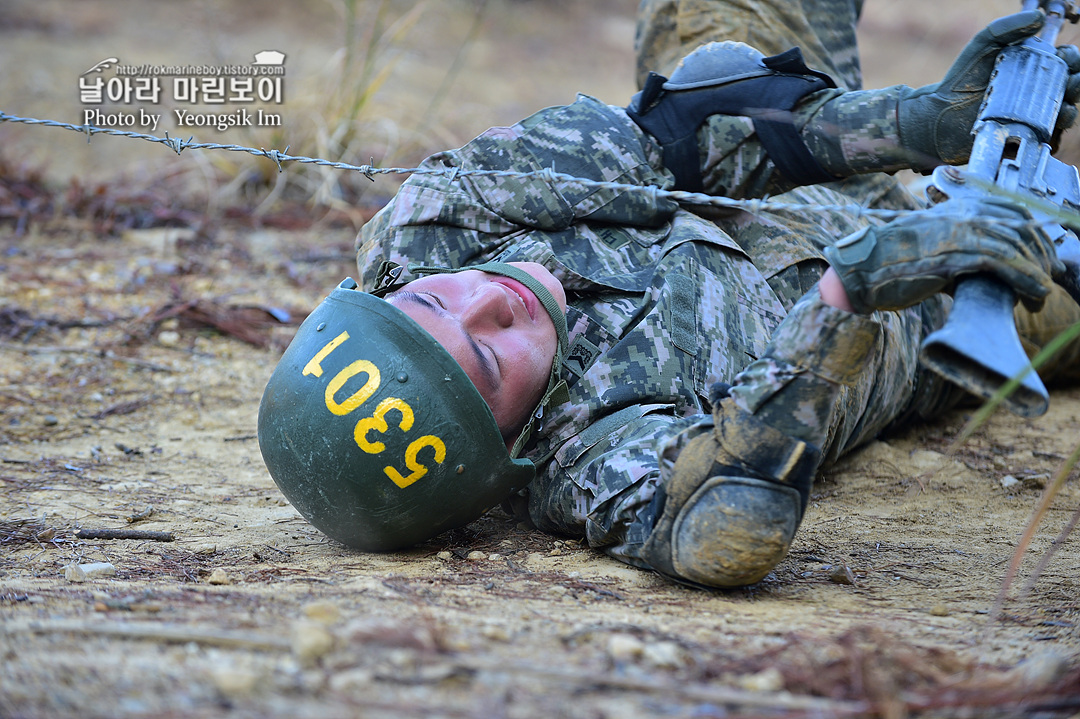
(979, 347)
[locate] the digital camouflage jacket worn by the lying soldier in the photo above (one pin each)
(663, 302)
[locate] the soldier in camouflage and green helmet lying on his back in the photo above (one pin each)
(668, 384)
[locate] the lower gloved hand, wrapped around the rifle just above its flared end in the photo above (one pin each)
(922, 254)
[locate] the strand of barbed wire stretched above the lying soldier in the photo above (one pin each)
(548, 175)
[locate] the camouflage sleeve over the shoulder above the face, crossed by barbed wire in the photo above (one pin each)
(450, 218)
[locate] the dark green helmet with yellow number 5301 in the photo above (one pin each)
(375, 433)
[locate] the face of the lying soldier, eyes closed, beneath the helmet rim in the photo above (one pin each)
(496, 329)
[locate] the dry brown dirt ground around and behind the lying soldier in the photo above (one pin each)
(142, 311)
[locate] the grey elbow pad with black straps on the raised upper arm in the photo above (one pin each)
(734, 79)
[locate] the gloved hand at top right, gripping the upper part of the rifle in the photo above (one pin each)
(936, 121)
